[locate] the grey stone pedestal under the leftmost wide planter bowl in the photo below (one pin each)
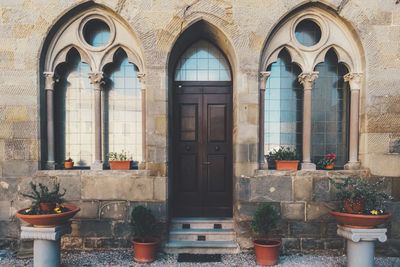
(46, 244)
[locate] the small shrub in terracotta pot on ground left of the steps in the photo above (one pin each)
(145, 232)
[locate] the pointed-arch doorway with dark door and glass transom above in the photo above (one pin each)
(202, 133)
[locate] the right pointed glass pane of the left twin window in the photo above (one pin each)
(122, 112)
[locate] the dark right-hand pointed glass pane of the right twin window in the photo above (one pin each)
(330, 116)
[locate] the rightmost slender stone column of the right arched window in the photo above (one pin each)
(354, 80)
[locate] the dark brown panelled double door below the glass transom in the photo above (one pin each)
(202, 148)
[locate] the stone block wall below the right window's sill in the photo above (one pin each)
(303, 199)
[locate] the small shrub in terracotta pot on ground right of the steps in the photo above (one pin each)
(267, 250)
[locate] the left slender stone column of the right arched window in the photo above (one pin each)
(262, 164)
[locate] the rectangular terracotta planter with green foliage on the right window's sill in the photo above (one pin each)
(285, 158)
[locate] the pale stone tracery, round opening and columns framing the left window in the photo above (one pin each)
(97, 35)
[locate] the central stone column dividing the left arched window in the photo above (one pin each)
(96, 78)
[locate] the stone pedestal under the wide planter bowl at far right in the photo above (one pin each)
(361, 244)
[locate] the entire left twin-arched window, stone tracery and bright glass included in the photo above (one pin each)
(95, 107)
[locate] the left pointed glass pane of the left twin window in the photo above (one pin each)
(74, 114)
